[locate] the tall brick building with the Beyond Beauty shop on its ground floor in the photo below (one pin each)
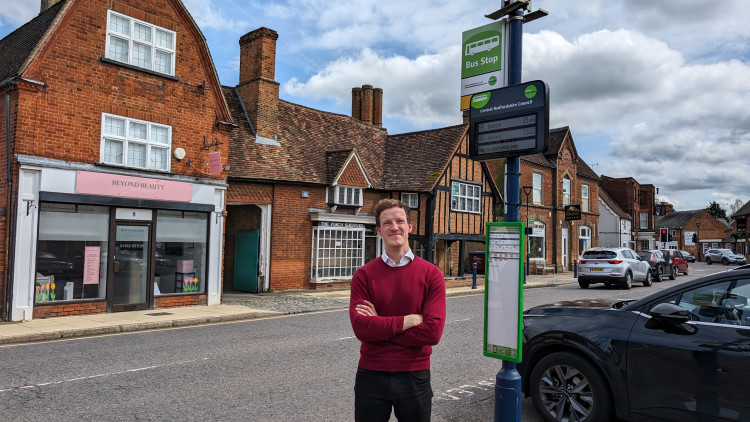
(113, 111)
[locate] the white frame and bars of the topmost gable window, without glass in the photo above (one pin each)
(151, 44)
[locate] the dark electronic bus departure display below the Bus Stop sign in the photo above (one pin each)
(510, 121)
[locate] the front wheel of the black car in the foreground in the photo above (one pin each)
(566, 387)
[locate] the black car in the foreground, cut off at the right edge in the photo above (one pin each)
(682, 354)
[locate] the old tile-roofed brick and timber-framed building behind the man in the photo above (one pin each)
(303, 183)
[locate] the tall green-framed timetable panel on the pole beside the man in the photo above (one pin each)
(503, 290)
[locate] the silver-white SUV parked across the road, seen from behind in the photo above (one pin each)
(613, 266)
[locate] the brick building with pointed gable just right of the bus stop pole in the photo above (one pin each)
(557, 179)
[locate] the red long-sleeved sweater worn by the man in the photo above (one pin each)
(415, 288)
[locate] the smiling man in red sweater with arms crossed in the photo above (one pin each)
(397, 311)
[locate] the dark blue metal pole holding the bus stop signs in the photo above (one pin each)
(508, 380)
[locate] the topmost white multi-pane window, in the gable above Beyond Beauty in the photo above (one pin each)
(140, 44)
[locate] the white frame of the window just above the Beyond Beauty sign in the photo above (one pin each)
(128, 140)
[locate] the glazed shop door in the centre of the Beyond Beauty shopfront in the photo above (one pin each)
(130, 268)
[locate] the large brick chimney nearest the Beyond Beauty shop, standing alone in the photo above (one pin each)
(258, 88)
